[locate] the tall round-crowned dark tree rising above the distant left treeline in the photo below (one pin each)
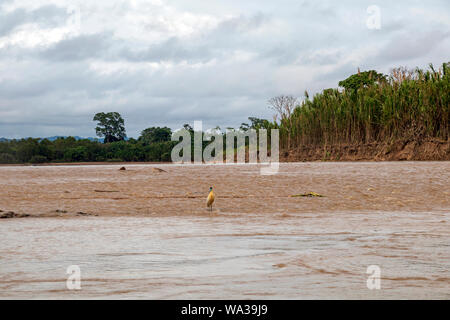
(110, 126)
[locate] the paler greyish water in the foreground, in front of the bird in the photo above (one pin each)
(228, 256)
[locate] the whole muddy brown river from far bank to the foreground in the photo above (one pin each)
(141, 233)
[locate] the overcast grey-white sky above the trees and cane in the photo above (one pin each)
(170, 62)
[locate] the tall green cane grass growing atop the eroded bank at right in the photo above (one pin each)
(407, 104)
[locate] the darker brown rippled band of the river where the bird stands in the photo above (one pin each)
(141, 190)
